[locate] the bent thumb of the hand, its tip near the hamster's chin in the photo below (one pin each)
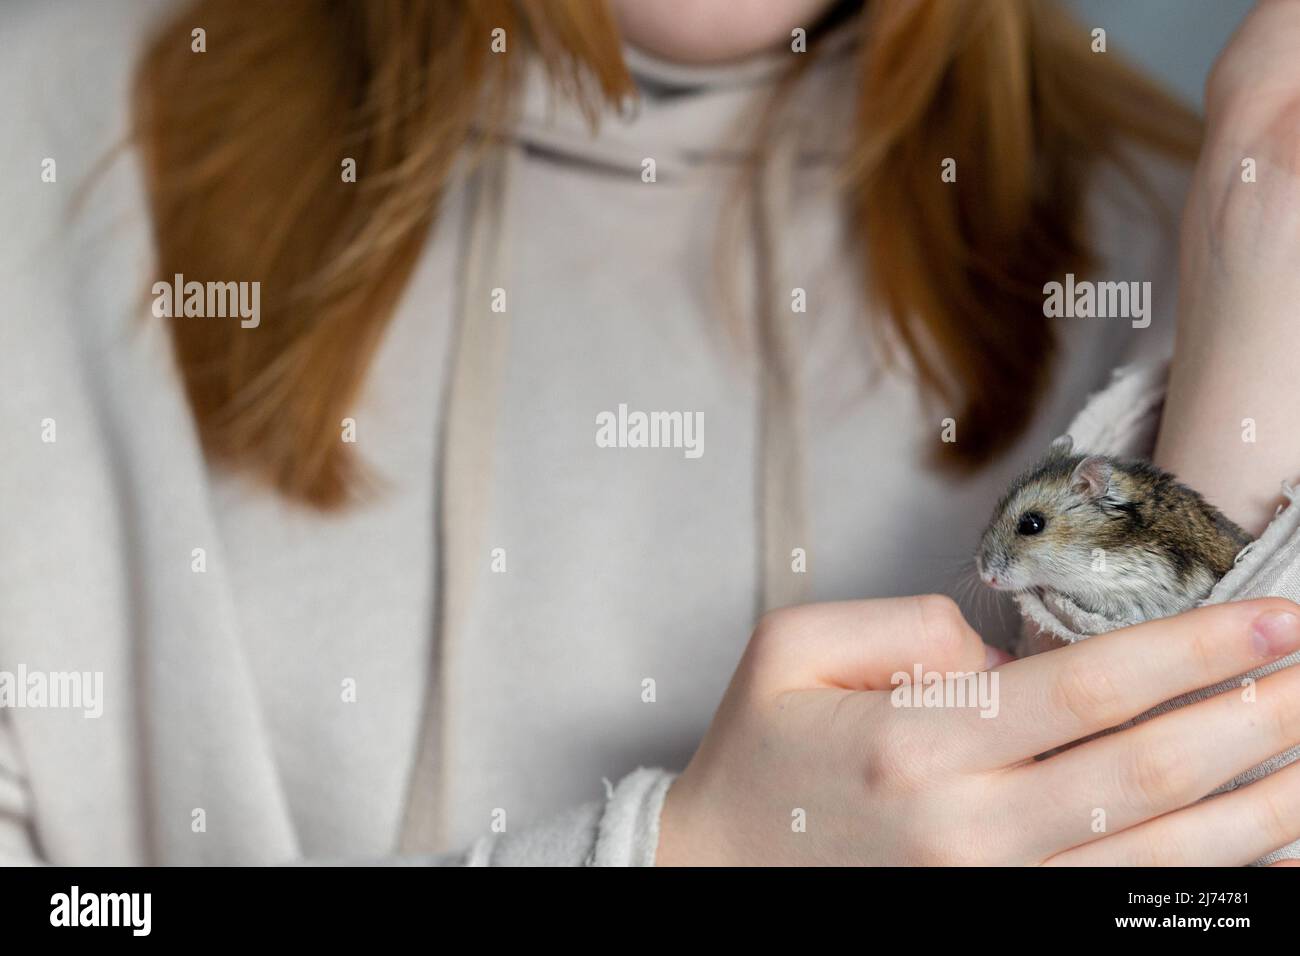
(861, 646)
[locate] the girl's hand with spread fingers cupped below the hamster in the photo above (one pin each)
(808, 732)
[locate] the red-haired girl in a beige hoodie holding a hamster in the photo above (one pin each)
(346, 533)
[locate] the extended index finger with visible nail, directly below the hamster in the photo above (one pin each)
(1067, 695)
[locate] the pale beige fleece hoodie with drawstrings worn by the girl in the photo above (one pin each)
(224, 689)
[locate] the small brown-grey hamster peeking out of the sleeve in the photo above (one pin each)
(1117, 538)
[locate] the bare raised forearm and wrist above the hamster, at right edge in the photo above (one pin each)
(1229, 423)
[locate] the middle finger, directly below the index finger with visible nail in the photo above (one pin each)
(1158, 767)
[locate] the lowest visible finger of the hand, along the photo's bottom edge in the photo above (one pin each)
(1230, 830)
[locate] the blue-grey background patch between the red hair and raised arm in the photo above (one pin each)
(1175, 40)
